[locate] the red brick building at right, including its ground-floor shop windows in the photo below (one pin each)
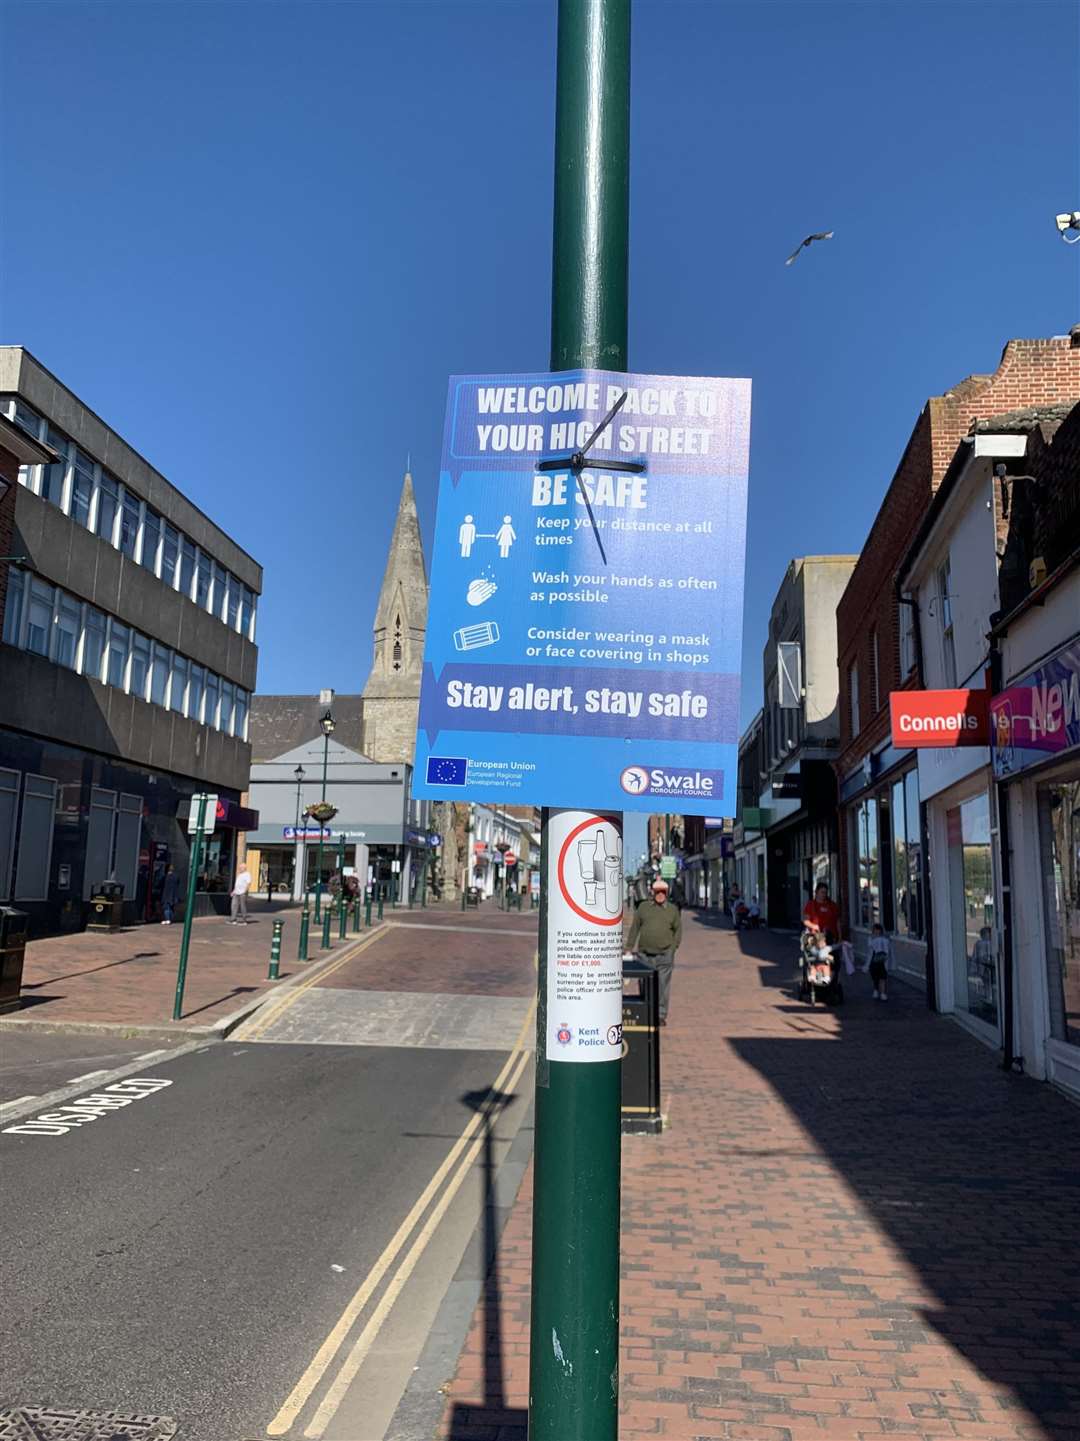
(877, 653)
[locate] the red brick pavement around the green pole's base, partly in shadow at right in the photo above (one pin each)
(856, 1227)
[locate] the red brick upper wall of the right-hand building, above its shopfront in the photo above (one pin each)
(1032, 372)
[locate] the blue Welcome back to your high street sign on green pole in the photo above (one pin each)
(586, 625)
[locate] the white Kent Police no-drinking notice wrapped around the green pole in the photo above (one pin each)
(585, 936)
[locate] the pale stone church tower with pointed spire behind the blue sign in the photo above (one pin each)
(391, 697)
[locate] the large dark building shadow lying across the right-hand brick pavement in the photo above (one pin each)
(973, 1175)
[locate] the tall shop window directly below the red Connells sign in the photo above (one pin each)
(971, 891)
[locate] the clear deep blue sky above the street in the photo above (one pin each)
(257, 238)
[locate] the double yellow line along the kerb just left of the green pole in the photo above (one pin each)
(465, 1151)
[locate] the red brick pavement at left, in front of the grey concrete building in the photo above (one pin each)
(129, 978)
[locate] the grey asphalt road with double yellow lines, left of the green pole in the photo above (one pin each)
(190, 1254)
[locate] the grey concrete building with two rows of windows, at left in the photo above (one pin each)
(128, 666)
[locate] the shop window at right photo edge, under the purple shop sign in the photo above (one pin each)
(1059, 834)
